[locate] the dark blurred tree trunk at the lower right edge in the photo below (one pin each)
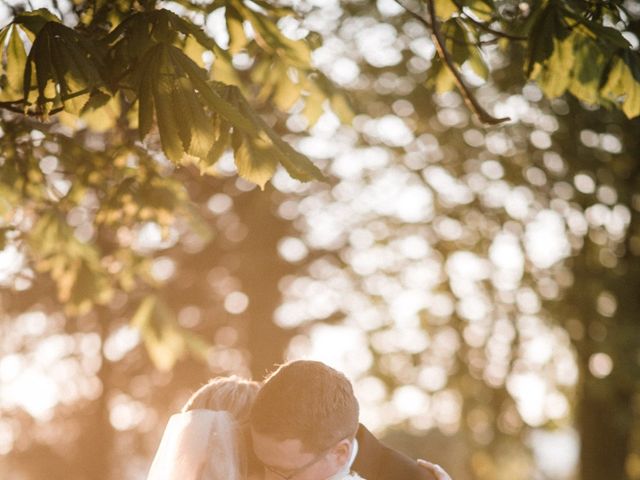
(605, 412)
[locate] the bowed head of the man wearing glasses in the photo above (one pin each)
(303, 421)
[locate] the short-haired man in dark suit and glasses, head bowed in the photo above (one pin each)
(304, 426)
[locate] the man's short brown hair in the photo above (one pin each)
(309, 401)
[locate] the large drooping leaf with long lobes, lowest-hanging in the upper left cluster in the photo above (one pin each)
(185, 126)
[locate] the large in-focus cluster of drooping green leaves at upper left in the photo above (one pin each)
(148, 72)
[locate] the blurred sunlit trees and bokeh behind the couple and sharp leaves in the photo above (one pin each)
(479, 284)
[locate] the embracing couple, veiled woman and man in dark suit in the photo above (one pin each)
(301, 423)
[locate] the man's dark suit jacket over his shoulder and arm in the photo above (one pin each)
(376, 461)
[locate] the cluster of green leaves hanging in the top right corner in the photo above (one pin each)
(569, 46)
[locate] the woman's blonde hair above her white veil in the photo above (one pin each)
(232, 394)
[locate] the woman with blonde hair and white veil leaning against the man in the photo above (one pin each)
(207, 439)
